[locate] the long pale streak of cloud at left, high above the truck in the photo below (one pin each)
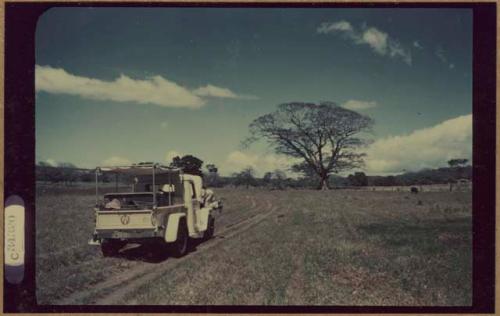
(153, 90)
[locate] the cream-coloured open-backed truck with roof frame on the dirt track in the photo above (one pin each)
(160, 205)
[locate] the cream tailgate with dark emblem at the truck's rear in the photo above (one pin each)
(124, 220)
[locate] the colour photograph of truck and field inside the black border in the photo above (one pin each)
(256, 156)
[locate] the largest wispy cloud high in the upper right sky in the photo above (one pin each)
(380, 42)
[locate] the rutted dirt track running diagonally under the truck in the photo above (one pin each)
(114, 288)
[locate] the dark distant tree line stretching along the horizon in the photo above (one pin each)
(67, 173)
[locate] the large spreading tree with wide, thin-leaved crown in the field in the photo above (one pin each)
(324, 137)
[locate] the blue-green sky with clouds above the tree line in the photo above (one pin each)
(120, 85)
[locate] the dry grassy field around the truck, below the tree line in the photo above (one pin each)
(341, 247)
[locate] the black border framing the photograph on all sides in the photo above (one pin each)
(19, 170)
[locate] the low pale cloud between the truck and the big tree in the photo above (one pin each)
(238, 160)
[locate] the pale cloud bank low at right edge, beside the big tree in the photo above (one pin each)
(425, 148)
